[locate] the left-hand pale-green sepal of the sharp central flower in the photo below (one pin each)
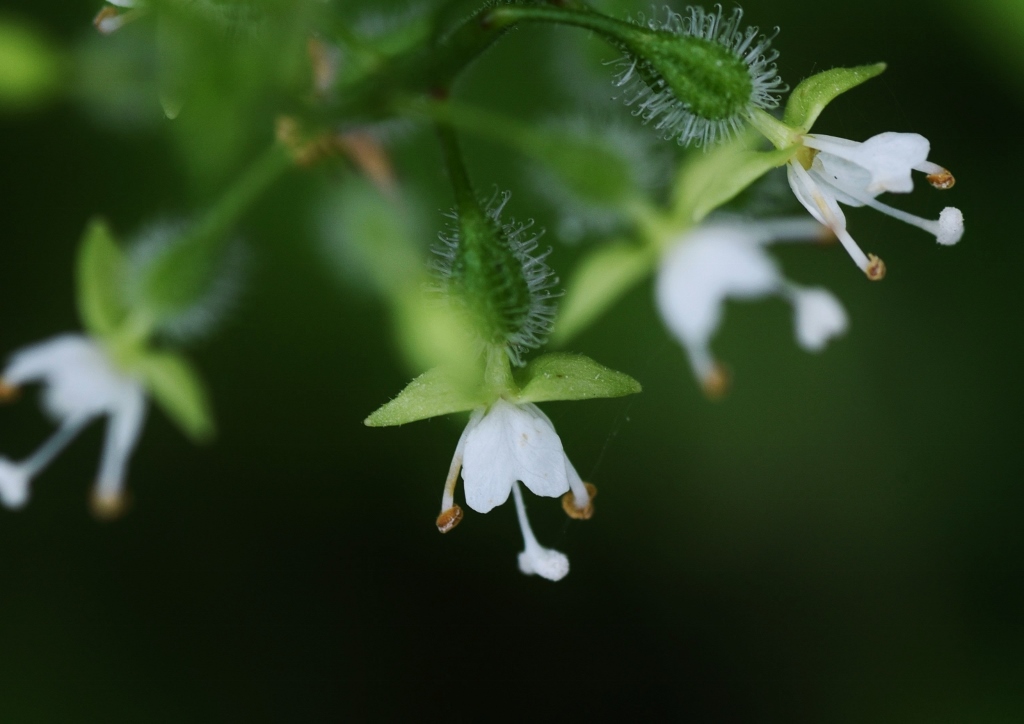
(439, 392)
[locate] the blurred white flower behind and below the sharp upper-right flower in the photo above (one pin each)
(727, 261)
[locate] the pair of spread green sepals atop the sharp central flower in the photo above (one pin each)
(550, 377)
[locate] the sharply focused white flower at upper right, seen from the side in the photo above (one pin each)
(831, 172)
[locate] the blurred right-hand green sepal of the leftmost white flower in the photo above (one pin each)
(177, 388)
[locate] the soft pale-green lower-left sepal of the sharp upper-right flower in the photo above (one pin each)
(715, 179)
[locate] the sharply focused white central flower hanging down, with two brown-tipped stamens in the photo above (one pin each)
(501, 446)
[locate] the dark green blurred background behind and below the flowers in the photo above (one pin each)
(839, 541)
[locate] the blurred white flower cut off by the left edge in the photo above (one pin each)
(80, 384)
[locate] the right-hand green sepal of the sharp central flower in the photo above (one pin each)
(564, 376)
